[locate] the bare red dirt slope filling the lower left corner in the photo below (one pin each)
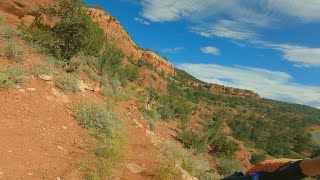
(38, 138)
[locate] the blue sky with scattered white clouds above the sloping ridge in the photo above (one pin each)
(269, 46)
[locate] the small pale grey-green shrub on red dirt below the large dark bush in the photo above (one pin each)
(67, 82)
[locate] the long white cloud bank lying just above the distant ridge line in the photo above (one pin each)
(269, 84)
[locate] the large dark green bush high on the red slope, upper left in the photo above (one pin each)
(74, 32)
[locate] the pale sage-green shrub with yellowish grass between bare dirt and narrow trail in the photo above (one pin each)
(106, 127)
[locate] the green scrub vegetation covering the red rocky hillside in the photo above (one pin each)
(210, 125)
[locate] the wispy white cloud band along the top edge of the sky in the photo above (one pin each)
(260, 13)
